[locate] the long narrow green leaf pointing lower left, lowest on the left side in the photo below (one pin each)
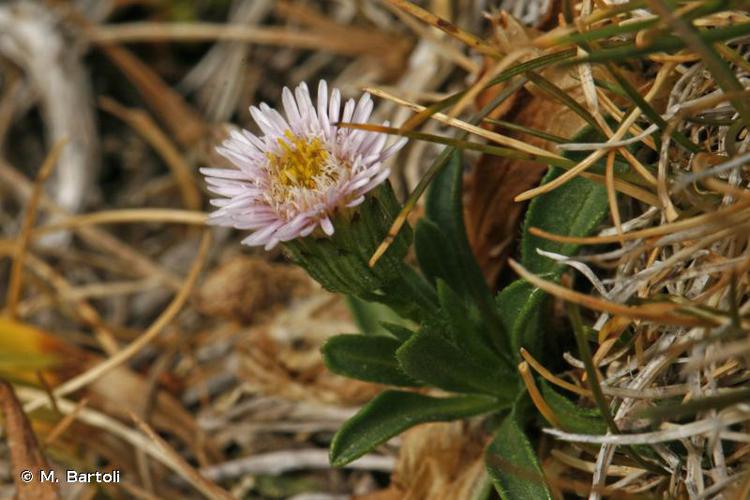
(391, 413)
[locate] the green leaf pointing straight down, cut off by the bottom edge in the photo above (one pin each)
(512, 464)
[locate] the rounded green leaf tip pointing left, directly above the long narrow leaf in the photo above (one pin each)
(366, 357)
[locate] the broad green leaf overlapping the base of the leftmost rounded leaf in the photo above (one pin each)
(433, 359)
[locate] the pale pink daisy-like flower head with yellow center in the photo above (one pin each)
(294, 178)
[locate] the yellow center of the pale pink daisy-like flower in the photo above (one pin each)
(301, 162)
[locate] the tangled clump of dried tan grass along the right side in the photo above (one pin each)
(677, 393)
